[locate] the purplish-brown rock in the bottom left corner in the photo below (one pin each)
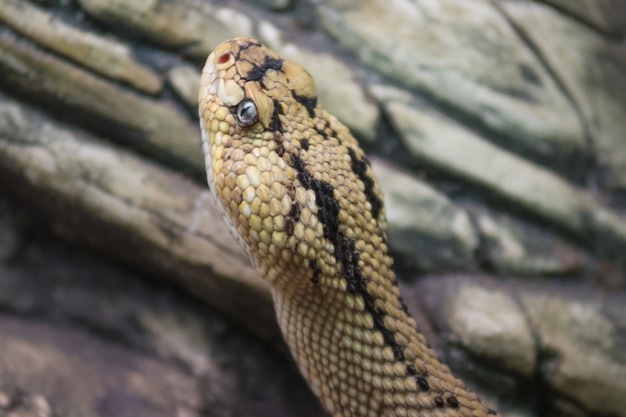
(64, 372)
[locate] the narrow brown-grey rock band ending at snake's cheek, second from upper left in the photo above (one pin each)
(132, 118)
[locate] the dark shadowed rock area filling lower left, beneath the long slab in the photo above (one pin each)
(103, 341)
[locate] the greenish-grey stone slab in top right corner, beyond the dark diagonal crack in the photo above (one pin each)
(592, 70)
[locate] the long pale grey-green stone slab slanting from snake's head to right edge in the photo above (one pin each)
(438, 142)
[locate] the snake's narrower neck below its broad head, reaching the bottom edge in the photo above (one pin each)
(363, 356)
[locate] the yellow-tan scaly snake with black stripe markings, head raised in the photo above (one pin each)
(299, 195)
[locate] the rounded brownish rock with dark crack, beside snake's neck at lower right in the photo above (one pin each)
(563, 339)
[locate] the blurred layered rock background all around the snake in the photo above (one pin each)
(497, 128)
